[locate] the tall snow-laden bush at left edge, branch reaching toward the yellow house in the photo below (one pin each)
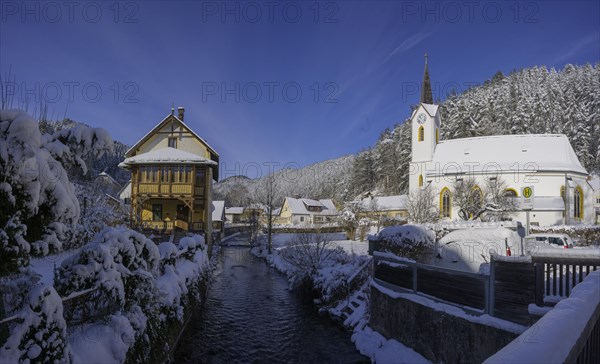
(39, 206)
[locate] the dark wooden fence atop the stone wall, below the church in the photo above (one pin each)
(512, 285)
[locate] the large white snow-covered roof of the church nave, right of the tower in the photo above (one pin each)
(532, 152)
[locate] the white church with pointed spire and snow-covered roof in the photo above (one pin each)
(546, 163)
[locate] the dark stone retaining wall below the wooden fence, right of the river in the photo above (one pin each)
(435, 334)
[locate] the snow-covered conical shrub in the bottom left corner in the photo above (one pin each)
(41, 336)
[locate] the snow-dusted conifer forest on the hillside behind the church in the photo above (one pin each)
(530, 101)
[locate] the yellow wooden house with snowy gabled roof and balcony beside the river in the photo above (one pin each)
(172, 170)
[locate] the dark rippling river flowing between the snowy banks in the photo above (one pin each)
(250, 316)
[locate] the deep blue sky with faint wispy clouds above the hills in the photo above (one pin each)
(357, 64)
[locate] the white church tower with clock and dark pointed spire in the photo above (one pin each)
(426, 123)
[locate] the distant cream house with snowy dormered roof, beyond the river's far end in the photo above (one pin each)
(305, 211)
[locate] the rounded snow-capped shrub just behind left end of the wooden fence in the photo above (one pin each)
(410, 241)
